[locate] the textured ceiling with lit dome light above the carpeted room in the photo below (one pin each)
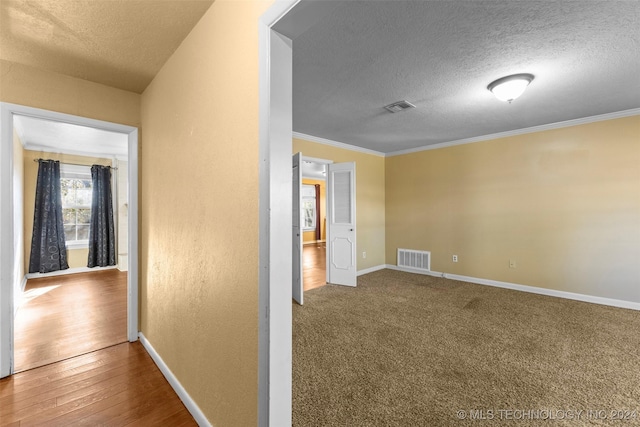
(441, 55)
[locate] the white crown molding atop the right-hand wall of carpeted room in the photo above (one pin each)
(541, 128)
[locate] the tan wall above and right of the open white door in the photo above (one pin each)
(370, 197)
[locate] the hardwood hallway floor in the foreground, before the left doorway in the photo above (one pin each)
(116, 386)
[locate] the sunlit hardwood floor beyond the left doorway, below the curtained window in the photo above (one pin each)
(65, 316)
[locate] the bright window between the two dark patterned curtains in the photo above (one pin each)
(76, 190)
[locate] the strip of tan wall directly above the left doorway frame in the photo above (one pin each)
(24, 85)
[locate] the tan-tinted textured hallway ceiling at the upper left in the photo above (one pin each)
(119, 43)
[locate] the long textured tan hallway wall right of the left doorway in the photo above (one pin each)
(199, 213)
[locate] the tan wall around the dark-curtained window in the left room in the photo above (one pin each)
(75, 257)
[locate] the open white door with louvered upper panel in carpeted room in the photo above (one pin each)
(341, 224)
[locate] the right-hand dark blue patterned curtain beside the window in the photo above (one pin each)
(102, 240)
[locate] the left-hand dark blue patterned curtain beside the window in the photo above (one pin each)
(48, 249)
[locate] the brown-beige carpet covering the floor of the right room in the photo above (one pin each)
(412, 350)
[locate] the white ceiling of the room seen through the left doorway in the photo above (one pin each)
(58, 137)
